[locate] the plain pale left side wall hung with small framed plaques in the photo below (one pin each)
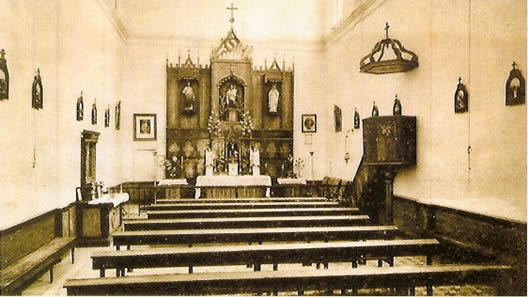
(76, 48)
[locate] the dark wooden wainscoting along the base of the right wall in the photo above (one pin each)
(466, 233)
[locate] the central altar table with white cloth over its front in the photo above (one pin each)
(228, 186)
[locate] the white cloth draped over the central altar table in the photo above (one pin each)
(232, 181)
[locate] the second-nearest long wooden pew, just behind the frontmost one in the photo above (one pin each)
(256, 255)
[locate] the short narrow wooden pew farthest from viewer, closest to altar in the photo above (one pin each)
(241, 200)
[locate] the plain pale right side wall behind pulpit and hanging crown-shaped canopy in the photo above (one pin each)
(477, 40)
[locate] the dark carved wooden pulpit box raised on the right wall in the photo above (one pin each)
(389, 140)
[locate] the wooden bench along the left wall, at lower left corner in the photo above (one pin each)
(14, 278)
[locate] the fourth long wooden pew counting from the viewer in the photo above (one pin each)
(244, 222)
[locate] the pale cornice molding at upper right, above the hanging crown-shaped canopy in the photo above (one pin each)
(346, 25)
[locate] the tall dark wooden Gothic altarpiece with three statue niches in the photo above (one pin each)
(233, 90)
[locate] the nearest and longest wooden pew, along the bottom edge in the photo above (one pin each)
(287, 281)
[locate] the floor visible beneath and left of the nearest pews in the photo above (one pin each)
(83, 269)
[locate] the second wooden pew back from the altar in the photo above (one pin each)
(238, 205)
